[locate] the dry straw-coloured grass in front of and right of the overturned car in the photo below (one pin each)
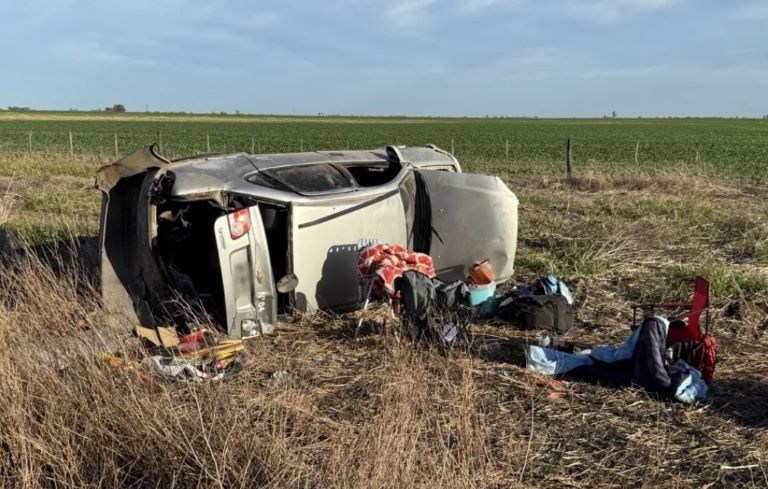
(378, 410)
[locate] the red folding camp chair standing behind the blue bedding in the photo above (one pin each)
(685, 334)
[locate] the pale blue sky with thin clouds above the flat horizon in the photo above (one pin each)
(546, 58)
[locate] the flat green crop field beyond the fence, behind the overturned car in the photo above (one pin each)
(718, 147)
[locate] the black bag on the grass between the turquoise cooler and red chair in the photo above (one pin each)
(544, 312)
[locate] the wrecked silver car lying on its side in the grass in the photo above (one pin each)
(219, 231)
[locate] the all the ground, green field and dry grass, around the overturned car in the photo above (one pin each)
(374, 410)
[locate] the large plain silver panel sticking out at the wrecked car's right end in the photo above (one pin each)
(473, 218)
